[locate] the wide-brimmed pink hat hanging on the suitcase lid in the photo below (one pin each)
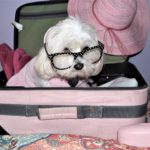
(122, 25)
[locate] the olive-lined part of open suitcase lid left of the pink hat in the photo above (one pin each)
(36, 18)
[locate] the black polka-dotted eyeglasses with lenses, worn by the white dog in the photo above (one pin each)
(91, 54)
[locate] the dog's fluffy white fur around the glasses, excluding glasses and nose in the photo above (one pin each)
(73, 34)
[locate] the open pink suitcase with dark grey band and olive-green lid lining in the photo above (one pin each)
(98, 112)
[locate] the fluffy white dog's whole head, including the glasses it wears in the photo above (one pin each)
(68, 43)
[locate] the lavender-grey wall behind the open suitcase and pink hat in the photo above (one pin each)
(7, 13)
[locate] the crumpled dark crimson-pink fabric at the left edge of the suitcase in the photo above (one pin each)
(12, 61)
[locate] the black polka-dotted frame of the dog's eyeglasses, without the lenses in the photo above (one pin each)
(75, 55)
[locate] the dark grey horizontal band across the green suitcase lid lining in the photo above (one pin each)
(42, 14)
